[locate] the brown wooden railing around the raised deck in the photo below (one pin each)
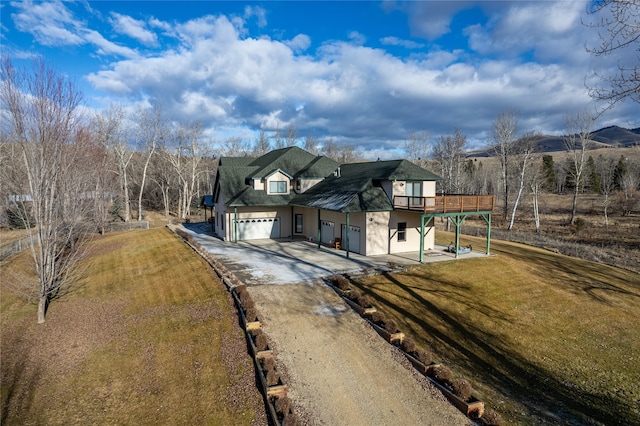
(445, 203)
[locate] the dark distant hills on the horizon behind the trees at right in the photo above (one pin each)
(607, 137)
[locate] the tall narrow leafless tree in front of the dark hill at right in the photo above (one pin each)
(576, 142)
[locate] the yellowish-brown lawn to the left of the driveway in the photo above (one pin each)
(149, 336)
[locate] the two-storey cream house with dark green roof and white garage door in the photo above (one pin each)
(370, 208)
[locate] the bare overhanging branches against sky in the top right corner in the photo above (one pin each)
(618, 20)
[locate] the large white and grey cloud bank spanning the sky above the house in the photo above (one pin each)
(229, 80)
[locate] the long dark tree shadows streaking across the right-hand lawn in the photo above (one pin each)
(545, 396)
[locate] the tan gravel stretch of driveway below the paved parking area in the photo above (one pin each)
(339, 370)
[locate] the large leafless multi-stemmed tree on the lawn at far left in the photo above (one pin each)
(42, 118)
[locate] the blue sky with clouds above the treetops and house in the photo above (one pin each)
(363, 73)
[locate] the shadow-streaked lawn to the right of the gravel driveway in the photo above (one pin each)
(544, 338)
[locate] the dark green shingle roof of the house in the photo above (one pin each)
(357, 189)
